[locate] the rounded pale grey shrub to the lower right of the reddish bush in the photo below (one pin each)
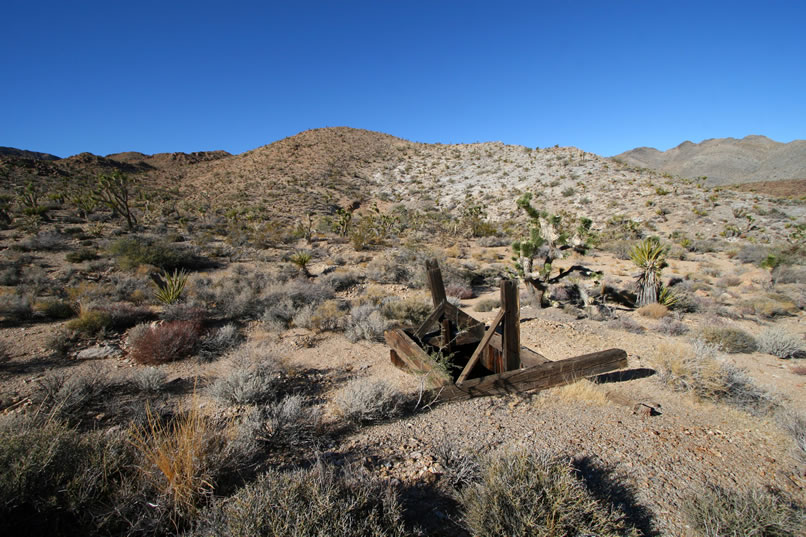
(253, 378)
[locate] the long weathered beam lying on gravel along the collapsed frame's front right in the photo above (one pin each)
(539, 377)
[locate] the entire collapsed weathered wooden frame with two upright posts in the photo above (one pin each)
(498, 364)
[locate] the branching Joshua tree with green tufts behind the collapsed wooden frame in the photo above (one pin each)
(547, 239)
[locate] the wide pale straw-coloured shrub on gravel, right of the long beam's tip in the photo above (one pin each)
(699, 369)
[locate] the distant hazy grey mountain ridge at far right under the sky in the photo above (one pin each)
(726, 161)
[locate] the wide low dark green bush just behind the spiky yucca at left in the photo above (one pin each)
(132, 252)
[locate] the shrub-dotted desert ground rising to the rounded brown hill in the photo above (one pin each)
(200, 344)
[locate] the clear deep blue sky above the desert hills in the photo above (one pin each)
(605, 76)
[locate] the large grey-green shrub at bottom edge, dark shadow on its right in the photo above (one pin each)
(528, 494)
